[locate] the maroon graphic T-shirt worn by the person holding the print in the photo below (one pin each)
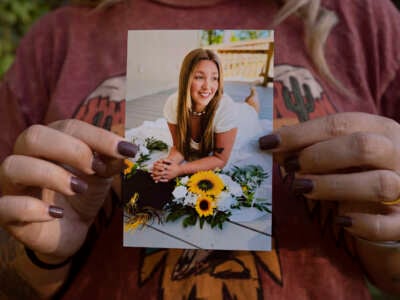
(73, 60)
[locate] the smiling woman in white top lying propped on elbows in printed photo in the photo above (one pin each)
(202, 119)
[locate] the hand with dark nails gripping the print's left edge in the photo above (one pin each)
(55, 182)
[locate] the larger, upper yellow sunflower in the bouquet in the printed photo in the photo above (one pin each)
(206, 183)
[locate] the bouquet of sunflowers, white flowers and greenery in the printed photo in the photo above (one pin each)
(210, 196)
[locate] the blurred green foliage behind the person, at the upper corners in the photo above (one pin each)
(16, 16)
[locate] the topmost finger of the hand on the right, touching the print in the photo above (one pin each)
(292, 138)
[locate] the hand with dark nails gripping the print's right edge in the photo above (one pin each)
(350, 157)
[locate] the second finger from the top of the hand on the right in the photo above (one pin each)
(359, 149)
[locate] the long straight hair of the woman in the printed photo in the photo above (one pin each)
(185, 104)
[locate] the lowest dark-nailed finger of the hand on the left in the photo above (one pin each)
(26, 209)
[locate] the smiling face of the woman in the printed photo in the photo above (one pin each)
(204, 84)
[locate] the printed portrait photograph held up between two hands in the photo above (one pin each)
(197, 103)
